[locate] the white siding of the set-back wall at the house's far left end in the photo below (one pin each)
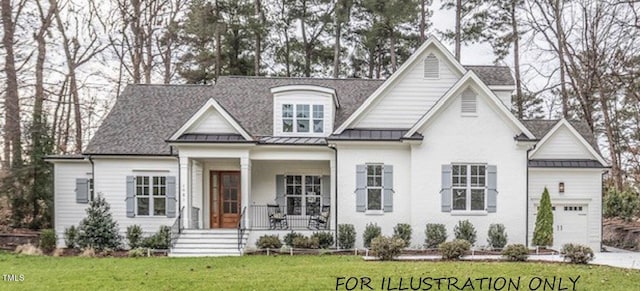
(66, 211)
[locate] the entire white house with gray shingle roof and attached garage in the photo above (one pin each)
(434, 143)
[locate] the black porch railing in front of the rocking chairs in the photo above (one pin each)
(260, 219)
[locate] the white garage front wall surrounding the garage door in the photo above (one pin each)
(582, 186)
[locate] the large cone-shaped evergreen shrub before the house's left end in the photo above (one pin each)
(98, 230)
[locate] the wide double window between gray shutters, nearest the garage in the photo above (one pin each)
(468, 187)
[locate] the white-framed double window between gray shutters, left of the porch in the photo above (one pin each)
(151, 195)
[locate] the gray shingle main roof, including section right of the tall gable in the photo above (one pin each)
(144, 116)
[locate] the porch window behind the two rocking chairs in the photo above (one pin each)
(303, 194)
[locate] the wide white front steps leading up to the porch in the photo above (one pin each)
(207, 243)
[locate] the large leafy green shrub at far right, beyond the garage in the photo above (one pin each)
(623, 204)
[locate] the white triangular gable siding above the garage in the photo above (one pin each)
(562, 145)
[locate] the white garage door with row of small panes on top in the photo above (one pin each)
(570, 224)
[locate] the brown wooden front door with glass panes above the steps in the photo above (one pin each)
(228, 202)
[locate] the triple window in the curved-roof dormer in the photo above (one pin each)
(303, 118)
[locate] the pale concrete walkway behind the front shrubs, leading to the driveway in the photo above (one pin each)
(614, 258)
